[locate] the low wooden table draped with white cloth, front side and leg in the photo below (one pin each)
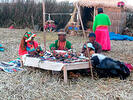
(55, 66)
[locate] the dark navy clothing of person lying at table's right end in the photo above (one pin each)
(108, 67)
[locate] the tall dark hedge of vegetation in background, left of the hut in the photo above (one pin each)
(22, 14)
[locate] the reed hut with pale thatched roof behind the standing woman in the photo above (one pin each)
(116, 14)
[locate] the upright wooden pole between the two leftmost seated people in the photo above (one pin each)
(43, 5)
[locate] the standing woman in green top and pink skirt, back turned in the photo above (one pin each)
(100, 27)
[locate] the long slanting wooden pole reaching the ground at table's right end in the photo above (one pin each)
(89, 62)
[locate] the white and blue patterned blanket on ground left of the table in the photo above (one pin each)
(12, 66)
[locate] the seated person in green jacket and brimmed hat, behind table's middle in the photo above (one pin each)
(61, 43)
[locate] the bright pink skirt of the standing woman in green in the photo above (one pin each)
(102, 37)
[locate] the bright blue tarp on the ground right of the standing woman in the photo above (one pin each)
(114, 36)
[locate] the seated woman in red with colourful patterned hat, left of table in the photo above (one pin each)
(28, 45)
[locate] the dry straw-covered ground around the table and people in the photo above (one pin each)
(37, 84)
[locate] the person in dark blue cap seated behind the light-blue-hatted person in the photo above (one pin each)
(96, 45)
